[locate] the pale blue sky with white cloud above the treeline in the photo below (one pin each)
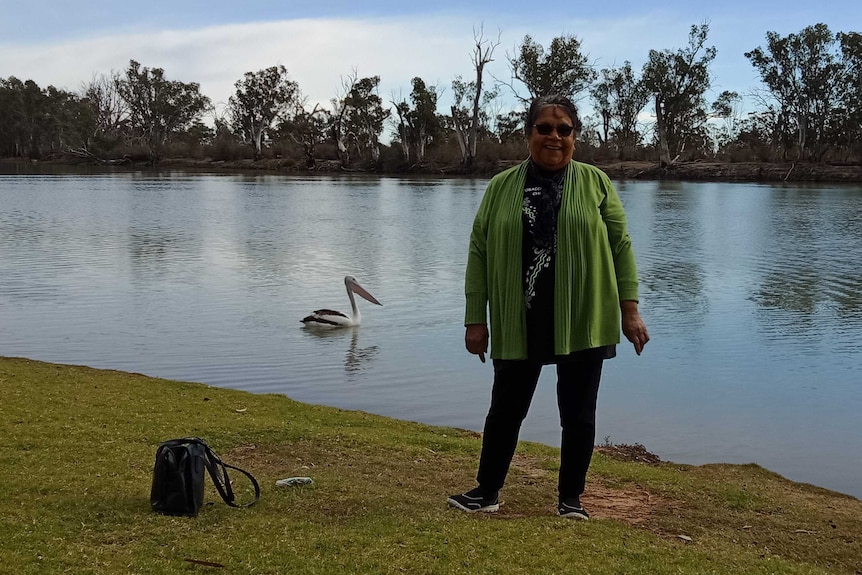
(66, 44)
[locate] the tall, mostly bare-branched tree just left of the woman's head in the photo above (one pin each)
(466, 120)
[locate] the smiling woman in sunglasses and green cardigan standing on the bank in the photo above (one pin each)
(551, 259)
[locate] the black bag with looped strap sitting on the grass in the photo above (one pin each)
(178, 477)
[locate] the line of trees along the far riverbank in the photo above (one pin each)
(808, 108)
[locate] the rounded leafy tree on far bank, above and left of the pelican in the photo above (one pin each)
(261, 98)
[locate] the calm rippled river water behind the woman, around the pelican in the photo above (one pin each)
(752, 294)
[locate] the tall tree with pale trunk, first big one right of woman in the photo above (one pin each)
(678, 80)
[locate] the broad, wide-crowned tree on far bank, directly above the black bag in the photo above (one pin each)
(159, 107)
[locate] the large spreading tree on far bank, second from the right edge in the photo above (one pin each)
(805, 78)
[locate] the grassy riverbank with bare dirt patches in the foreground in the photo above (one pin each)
(79, 445)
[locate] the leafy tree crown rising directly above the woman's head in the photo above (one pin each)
(563, 70)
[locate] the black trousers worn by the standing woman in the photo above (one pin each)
(514, 384)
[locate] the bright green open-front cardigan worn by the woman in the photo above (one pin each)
(595, 263)
